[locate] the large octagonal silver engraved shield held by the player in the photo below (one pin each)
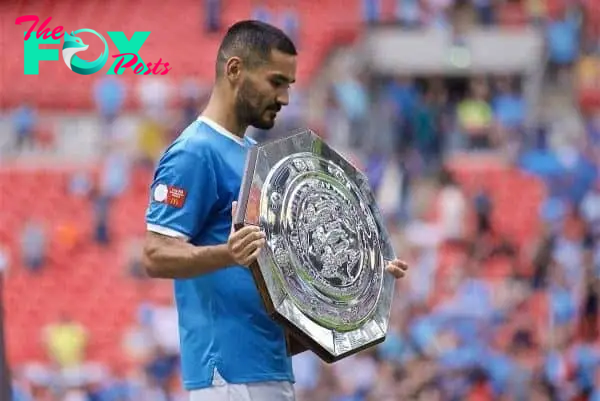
(322, 274)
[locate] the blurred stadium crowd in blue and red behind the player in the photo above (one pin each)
(483, 314)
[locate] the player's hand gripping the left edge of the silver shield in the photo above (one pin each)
(246, 243)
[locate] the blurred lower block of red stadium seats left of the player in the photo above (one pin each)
(89, 281)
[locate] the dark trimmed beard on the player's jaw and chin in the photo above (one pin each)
(250, 109)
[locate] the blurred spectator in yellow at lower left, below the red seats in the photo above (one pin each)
(66, 342)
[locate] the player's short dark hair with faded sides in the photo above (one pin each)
(252, 41)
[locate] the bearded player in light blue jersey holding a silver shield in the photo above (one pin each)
(230, 348)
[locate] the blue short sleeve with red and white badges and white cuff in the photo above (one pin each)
(182, 193)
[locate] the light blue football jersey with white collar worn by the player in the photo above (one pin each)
(222, 321)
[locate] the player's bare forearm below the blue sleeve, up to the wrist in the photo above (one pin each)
(179, 259)
